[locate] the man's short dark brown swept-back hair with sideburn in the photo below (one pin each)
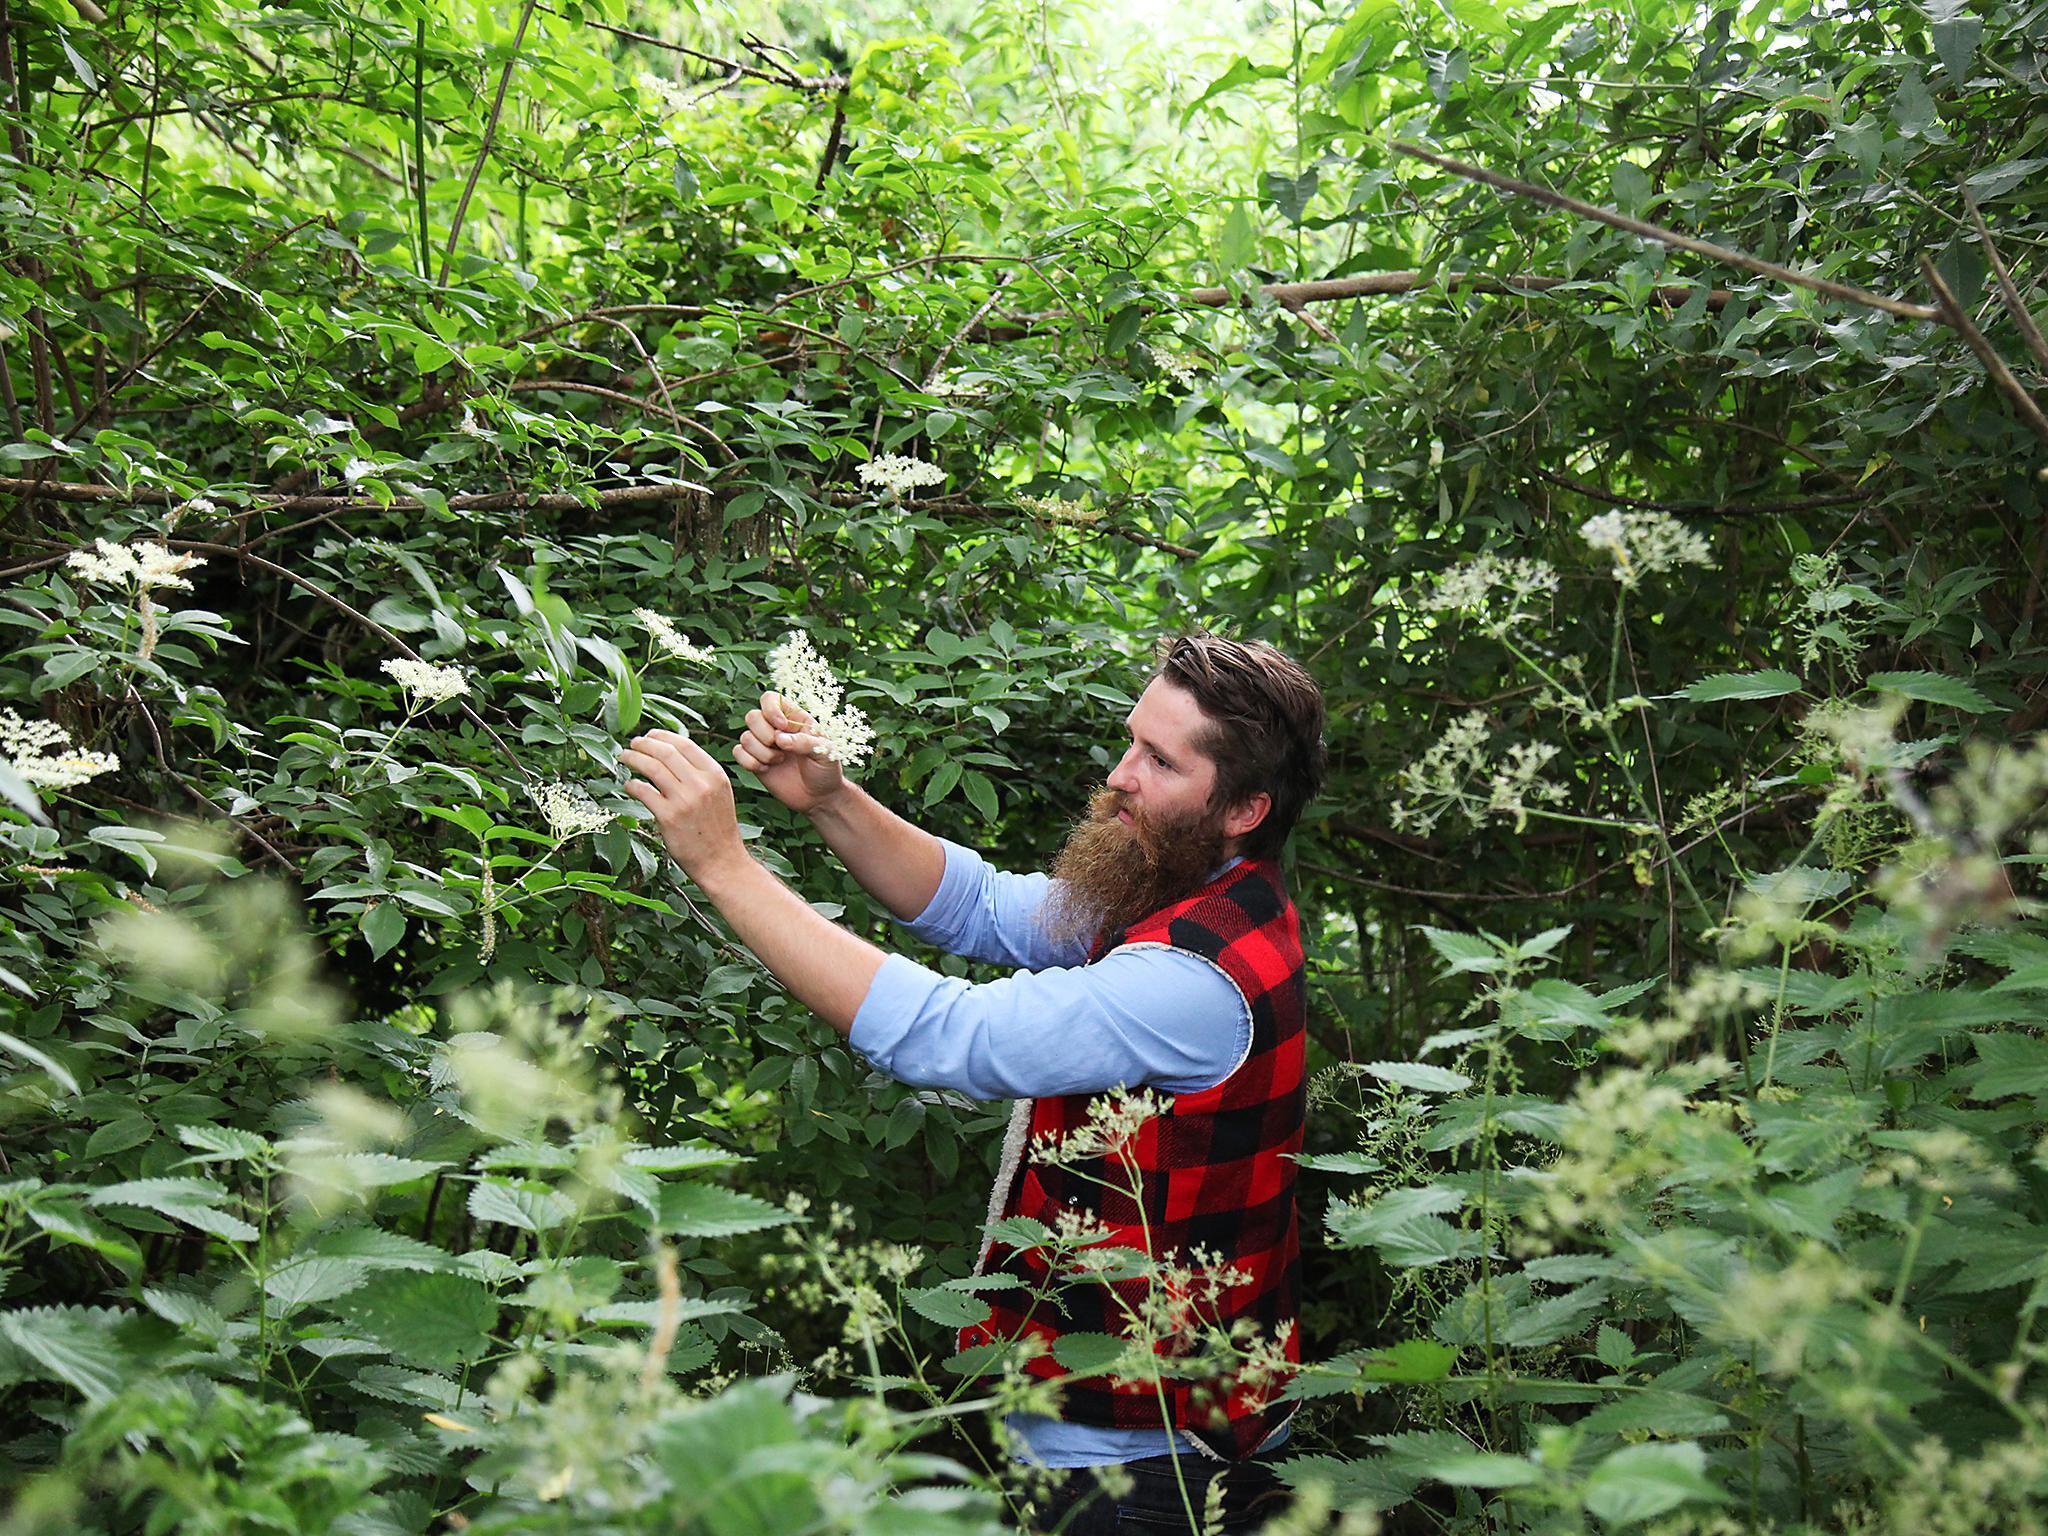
(1267, 726)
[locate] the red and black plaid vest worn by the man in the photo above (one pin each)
(1215, 1187)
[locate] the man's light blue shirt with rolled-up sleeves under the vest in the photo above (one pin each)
(1136, 1019)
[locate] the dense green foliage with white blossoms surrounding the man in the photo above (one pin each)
(392, 1136)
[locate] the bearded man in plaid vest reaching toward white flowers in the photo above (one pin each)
(1160, 953)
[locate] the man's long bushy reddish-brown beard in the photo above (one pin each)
(1109, 876)
